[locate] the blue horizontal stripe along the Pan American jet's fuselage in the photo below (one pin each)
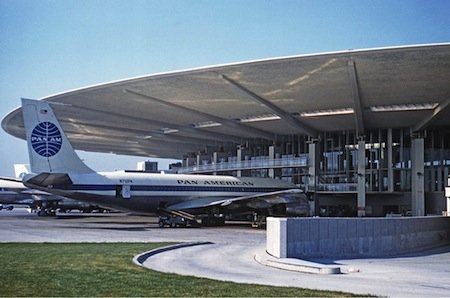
(184, 188)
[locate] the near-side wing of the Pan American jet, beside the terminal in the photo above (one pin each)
(295, 198)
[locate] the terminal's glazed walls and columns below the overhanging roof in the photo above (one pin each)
(379, 171)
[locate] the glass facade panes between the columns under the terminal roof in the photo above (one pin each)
(333, 168)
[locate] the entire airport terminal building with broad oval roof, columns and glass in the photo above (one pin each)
(363, 132)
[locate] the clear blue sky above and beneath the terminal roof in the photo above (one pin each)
(48, 47)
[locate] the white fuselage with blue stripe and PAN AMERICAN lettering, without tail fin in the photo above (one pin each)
(146, 192)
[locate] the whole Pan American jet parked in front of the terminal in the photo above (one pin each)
(57, 169)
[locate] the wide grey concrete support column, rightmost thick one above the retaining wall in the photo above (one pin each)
(417, 177)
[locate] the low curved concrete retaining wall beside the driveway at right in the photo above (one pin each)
(354, 237)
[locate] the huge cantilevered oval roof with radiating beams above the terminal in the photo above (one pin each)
(170, 114)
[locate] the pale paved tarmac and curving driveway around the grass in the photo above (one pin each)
(231, 256)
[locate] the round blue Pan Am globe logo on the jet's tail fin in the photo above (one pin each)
(46, 139)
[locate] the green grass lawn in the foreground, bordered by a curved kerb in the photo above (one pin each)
(106, 269)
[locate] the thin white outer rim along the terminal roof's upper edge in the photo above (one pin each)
(242, 63)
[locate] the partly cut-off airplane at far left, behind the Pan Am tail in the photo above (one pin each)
(13, 192)
